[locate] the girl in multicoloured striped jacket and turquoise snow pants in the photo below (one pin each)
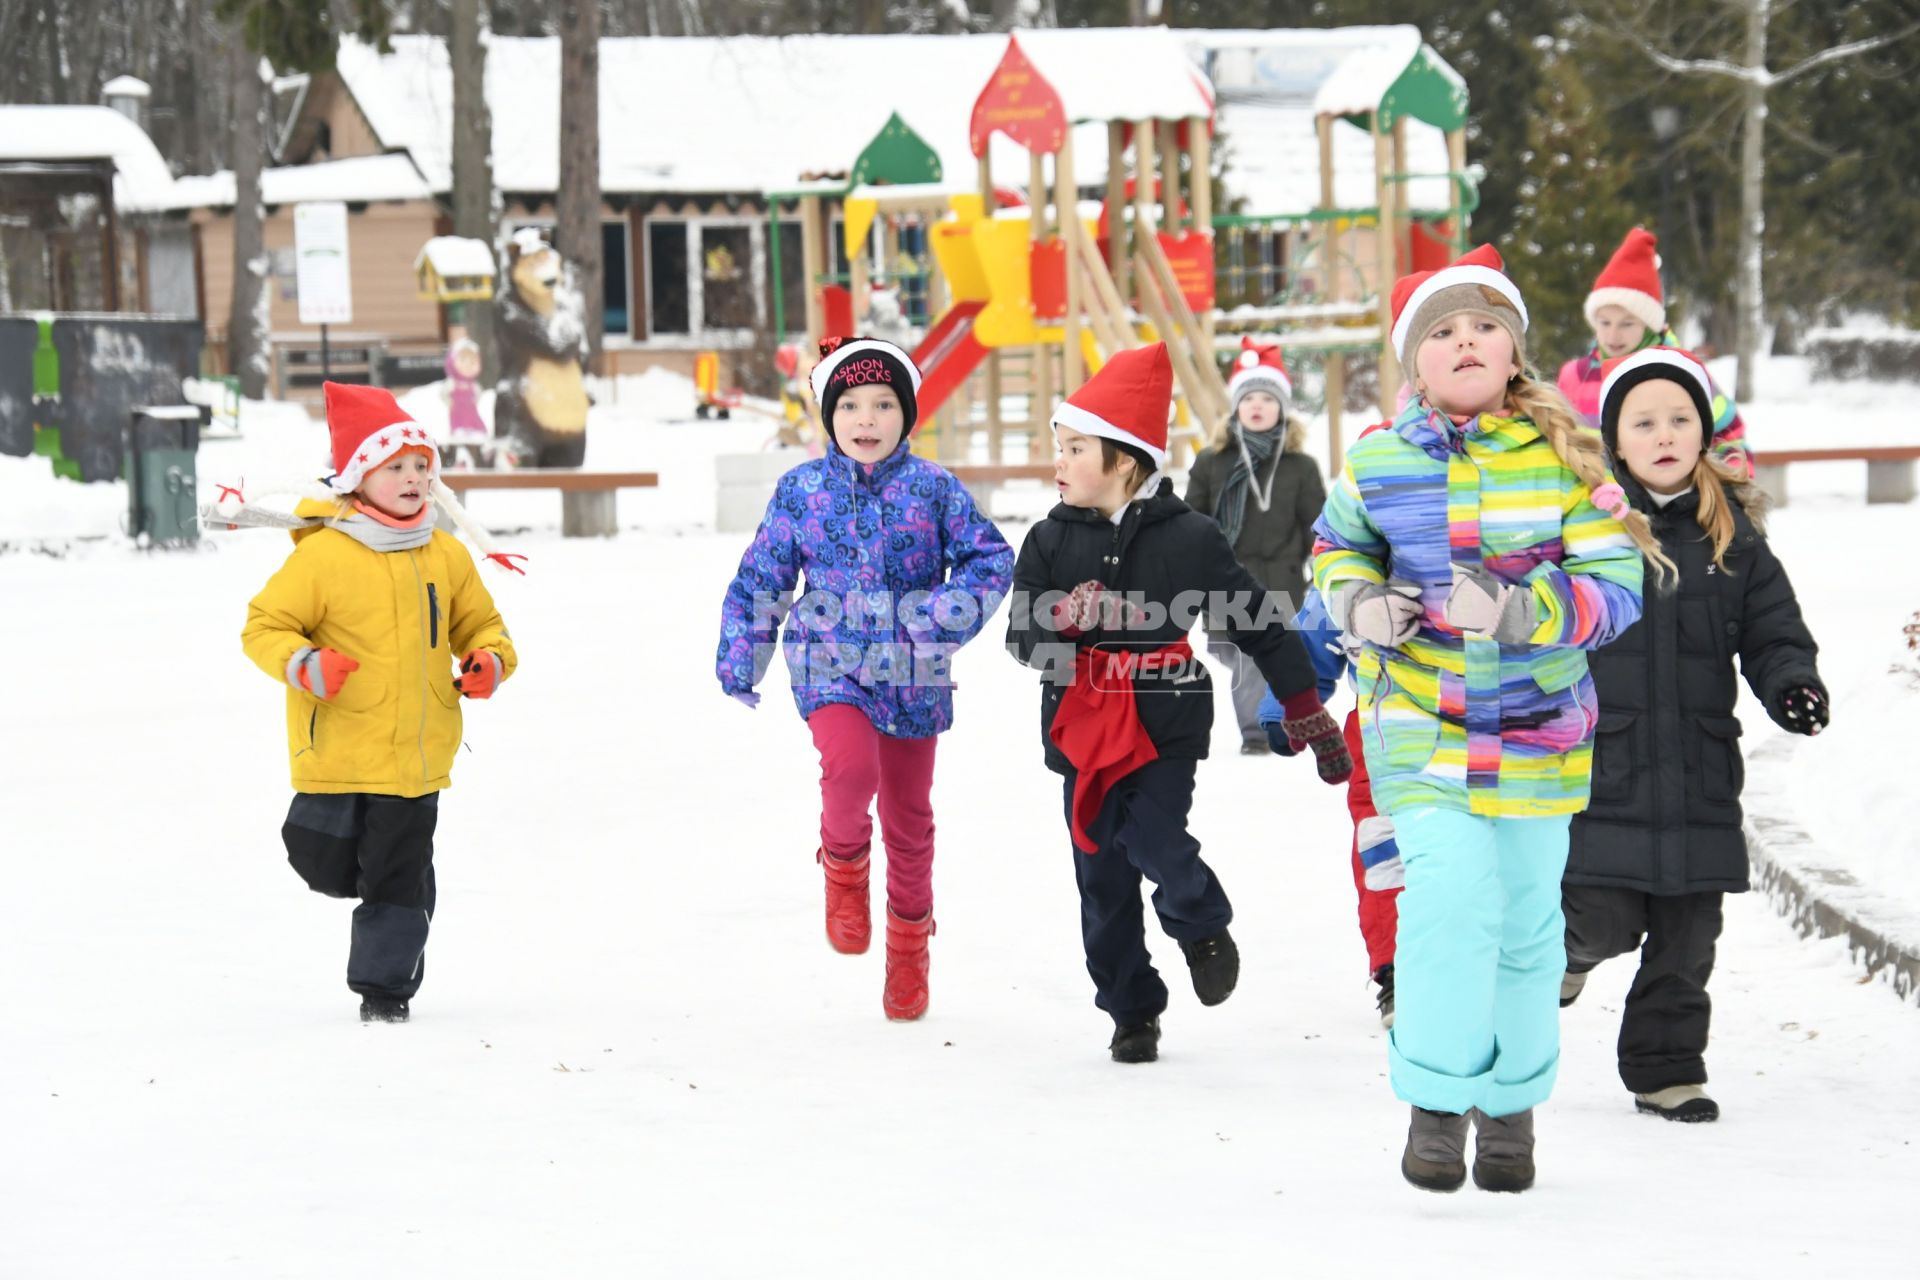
(1479, 550)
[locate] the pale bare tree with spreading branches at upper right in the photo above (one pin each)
(1756, 80)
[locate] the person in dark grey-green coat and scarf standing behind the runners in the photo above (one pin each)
(1264, 494)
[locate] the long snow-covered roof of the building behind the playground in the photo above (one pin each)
(748, 114)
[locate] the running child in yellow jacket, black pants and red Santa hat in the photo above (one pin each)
(366, 625)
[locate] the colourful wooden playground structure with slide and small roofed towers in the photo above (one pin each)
(1019, 296)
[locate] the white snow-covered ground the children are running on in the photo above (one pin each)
(635, 1049)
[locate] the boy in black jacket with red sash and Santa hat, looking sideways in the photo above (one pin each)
(1105, 596)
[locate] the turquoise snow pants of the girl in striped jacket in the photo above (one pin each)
(1479, 960)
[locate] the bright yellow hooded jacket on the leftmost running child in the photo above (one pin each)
(408, 619)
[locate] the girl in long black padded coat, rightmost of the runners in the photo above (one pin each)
(1662, 840)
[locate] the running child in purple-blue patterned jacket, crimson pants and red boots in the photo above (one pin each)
(900, 571)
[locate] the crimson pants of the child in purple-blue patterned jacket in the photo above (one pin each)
(859, 763)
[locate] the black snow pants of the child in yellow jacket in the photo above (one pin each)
(381, 851)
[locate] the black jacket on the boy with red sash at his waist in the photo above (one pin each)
(1174, 561)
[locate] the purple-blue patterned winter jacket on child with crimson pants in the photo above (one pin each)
(900, 571)
